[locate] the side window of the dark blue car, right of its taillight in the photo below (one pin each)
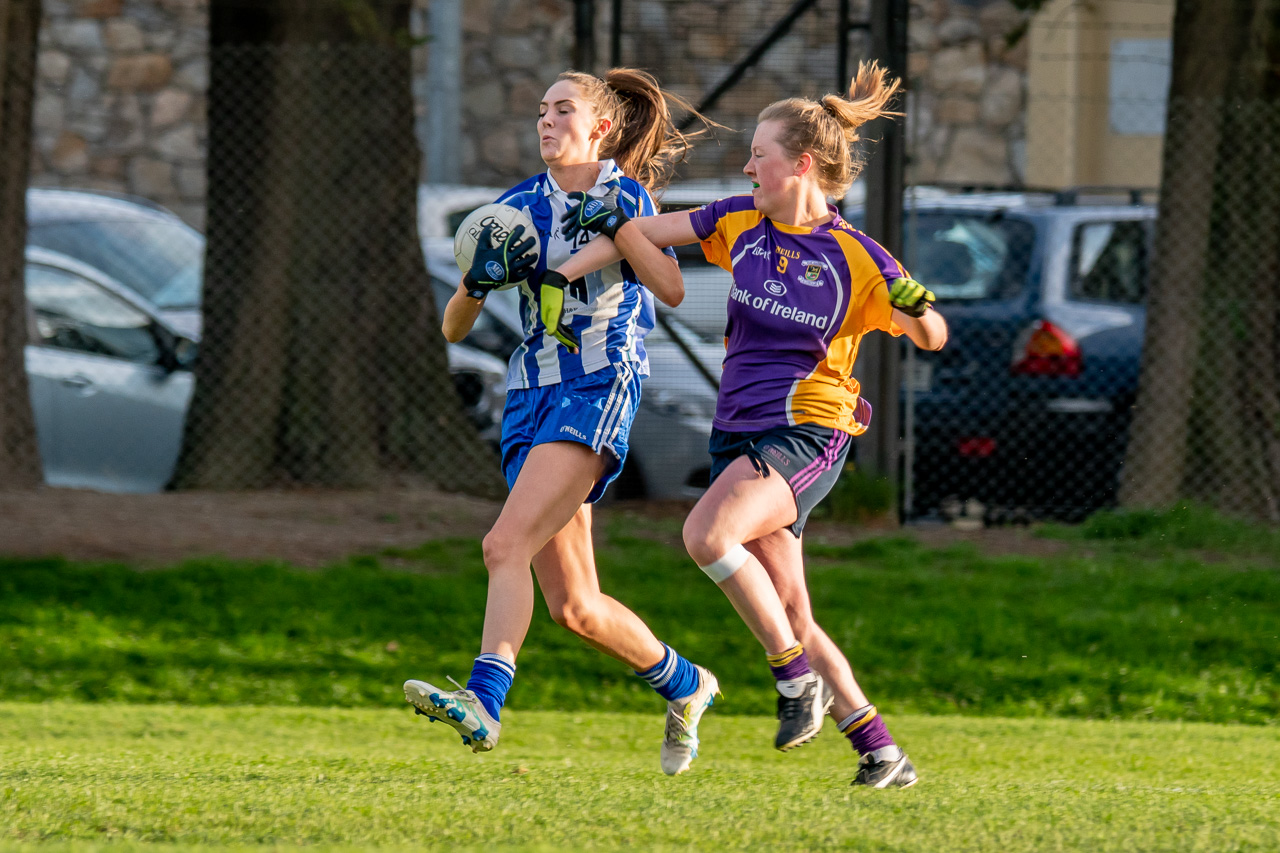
(1110, 262)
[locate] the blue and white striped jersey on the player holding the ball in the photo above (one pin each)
(610, 309)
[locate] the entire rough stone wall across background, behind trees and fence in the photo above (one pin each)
(121, 102)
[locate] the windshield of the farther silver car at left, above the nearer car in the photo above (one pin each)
(161, 259)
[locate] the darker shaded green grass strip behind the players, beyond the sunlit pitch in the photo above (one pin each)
(1123, 626)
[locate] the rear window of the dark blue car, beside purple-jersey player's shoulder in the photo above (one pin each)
(968, 256)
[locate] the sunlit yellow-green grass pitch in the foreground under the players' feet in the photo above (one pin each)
(84, 776)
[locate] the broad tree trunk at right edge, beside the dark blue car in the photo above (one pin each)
(1208, 418)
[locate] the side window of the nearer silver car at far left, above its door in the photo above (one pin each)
(75, 314)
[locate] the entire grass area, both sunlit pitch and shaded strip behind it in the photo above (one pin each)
(1118, 695)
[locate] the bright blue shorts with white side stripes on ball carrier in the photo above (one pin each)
(596, 410)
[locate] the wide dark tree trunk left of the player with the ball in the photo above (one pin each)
(322, 359)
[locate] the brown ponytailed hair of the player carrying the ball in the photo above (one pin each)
(644, 140)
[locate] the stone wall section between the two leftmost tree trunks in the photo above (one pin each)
(121, 99)
